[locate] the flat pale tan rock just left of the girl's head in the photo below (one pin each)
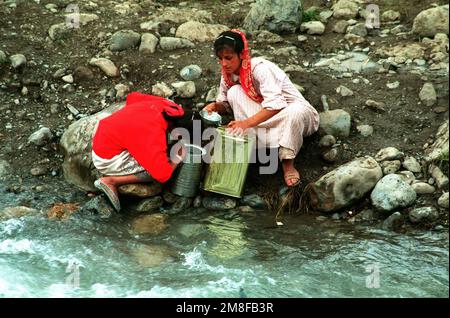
(200, 32)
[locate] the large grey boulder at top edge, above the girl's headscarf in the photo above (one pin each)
(278, 16)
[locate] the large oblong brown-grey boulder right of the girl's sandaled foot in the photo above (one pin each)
(344, 185)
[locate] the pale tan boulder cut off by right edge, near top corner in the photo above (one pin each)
(431, 21)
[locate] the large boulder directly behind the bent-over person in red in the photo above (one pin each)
(76, 143)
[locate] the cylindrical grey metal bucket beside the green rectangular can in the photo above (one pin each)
(188, 175)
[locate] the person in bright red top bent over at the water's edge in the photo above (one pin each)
(130, 145)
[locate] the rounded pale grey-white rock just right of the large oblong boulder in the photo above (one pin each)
(391, 192)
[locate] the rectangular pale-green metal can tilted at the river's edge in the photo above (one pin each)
(228, 167)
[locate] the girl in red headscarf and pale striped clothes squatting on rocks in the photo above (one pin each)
(262, 98)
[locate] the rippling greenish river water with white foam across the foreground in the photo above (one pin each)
(218, 254)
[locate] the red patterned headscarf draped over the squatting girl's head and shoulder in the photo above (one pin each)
(245, 72)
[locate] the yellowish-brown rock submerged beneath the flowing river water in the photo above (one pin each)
(151, 255)
